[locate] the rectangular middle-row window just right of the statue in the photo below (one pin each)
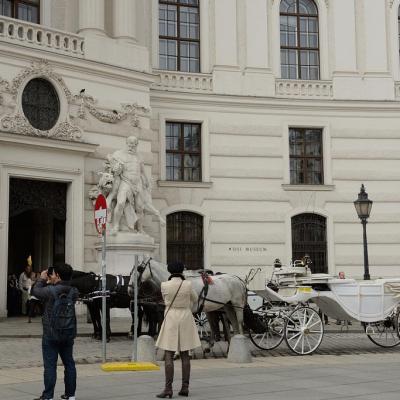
(183, 148)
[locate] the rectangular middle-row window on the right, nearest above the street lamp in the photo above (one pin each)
(306, 158)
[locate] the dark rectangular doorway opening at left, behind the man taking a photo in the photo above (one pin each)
(37, 215)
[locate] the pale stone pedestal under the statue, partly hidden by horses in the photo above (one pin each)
(121, 250)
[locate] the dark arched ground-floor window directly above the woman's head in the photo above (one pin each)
(185, 239)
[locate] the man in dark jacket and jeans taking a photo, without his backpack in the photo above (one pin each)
(44, 290)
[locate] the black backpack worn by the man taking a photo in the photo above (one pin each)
(63, 318)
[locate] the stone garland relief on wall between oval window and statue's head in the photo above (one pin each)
(133, 111)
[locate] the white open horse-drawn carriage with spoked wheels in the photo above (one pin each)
(287, 312)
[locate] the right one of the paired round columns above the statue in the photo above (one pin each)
(124, 19)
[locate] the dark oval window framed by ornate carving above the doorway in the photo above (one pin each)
(40, 104)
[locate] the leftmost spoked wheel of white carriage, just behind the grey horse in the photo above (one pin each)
(272, 337)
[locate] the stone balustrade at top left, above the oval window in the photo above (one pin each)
(38, 36)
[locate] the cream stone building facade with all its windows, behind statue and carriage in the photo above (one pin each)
(258, 121)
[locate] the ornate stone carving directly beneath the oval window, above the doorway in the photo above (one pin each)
(17, 123)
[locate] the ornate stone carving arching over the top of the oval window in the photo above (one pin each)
(37, 69)
